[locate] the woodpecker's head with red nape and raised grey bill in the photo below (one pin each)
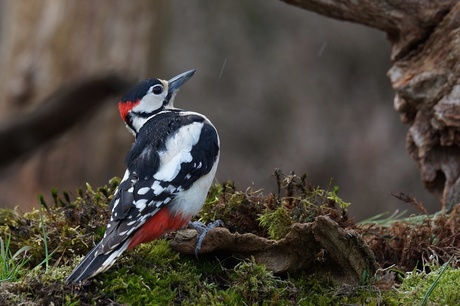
(149, 97)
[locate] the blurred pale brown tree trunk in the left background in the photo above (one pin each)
(46, 44)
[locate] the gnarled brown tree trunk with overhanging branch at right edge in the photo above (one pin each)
(425, 39)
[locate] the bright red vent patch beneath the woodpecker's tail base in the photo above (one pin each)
(158, 225)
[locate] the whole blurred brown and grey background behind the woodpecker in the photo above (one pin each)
(286, 89)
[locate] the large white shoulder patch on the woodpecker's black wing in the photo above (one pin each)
(178, 149)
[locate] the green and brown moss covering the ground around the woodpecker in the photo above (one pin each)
(155, 274)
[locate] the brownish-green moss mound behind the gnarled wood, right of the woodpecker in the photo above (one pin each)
(271, 216)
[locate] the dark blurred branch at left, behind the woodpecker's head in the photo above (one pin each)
(59, 112)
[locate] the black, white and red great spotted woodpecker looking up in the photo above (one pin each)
(170, 168)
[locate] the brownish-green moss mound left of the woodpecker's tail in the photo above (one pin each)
(65, 228)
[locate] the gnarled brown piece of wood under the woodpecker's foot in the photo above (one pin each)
(317, 246)
